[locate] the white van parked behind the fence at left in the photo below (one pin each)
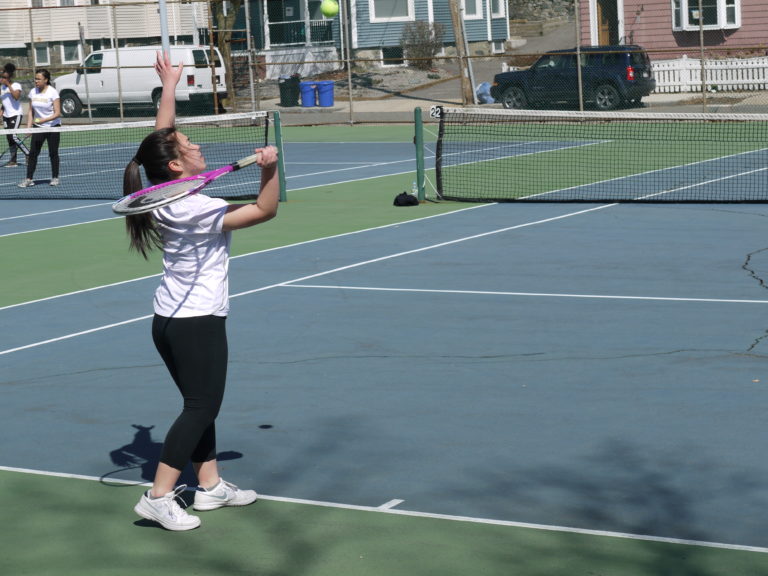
(137, 80)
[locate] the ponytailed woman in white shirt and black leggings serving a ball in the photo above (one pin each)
(191, 304)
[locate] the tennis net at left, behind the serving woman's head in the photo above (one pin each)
(93, 158)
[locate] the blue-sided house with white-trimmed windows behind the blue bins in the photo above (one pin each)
(292, 31)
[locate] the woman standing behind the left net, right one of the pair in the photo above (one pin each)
(44, 112)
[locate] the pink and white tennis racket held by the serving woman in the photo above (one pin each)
(166, 193)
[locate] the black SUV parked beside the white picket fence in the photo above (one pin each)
(612, 76)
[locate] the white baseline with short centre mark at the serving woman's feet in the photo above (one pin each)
(447, 517)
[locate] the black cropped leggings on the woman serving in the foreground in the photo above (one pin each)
(195, 352)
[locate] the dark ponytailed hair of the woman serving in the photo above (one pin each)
(154, 153)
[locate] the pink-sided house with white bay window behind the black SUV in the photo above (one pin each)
(734, 26)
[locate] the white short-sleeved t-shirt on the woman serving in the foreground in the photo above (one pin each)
(195, 258)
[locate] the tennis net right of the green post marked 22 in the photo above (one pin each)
(527, 155)
